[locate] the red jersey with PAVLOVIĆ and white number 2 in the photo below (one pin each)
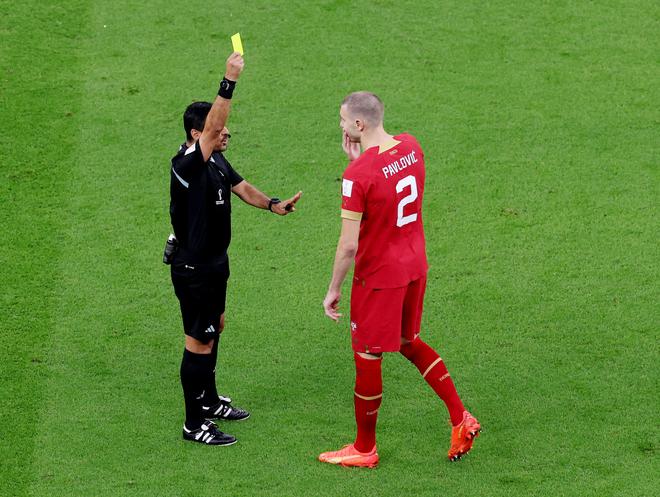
(385, 191)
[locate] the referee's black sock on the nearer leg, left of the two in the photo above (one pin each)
(195, 370)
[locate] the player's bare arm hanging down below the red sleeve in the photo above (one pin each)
(344, 258)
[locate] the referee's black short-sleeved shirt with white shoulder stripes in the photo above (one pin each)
(200, 208)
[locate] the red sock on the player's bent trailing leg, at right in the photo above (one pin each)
(435, 373)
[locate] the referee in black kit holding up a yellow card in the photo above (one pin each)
(201, 184)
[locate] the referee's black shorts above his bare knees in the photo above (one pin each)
(202, 291)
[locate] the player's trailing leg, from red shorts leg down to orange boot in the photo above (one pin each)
(433, 370)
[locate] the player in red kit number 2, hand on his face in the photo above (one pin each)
(382, 232)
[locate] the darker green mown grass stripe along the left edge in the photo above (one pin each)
(40, 97)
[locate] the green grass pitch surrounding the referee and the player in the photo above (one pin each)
(540, 121)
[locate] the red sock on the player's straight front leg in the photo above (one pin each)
(367, 398)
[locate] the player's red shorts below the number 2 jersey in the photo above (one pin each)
(380, 317)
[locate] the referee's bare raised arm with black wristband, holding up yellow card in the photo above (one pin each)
(219, 112)
